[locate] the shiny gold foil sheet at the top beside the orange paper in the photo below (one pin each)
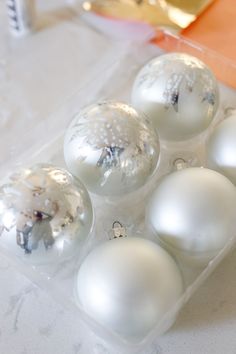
(175, 14)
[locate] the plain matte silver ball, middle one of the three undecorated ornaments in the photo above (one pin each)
(193, 210)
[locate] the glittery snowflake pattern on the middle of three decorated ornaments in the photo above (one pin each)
(116, 130)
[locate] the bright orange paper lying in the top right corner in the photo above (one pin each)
(215, 30)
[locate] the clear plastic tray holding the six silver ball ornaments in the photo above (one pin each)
(115, 82)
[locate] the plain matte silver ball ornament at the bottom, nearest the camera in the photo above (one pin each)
(128, 284)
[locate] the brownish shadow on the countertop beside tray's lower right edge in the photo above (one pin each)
(214, 302)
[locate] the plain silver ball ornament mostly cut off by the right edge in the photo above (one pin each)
(221, 148)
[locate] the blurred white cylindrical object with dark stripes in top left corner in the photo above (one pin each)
(21, 14)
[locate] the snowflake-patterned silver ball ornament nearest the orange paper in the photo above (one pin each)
(178, 93)
